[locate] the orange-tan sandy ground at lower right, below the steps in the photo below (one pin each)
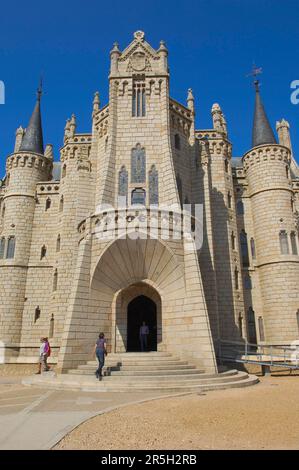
(264, 416)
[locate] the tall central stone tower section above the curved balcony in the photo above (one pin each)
(135, 153)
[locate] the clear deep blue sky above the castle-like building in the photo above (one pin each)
(212, 45)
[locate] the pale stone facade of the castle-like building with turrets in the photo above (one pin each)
(61, 279)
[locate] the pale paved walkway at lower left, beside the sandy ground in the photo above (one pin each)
(36, 419)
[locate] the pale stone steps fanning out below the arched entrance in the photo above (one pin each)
(138, 372)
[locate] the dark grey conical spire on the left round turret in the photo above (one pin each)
(33, 138)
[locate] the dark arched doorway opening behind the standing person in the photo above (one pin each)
(141, 309)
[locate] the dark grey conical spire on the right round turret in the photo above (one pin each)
(262, 132)
